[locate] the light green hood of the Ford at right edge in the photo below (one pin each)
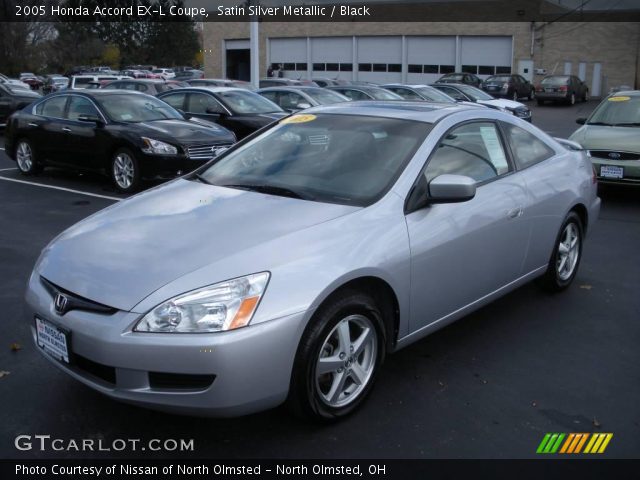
(600, 137)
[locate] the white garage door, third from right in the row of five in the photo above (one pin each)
(379, 59)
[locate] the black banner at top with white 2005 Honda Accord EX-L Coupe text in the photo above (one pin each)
(345, 11)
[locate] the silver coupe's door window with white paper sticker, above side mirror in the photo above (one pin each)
(473, 149)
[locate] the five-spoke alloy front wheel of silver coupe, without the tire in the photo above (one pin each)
(346, 361)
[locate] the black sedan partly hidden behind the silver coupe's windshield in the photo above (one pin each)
(240, 110)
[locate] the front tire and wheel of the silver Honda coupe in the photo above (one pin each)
(338, 358)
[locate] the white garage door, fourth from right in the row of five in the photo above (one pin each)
(332, 57)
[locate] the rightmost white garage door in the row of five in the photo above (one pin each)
(485, 56)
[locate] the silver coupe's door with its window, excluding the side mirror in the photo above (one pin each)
(462, 252)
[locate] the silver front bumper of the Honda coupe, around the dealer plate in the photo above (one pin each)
(237, 372)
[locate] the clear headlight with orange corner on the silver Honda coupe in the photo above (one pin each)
(223, 306)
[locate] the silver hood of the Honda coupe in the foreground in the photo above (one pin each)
(124, 253)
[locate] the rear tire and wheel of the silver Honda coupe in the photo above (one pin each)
(565, 259)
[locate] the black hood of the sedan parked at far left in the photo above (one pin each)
(188, 132)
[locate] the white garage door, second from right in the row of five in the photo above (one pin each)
(428, 58)
